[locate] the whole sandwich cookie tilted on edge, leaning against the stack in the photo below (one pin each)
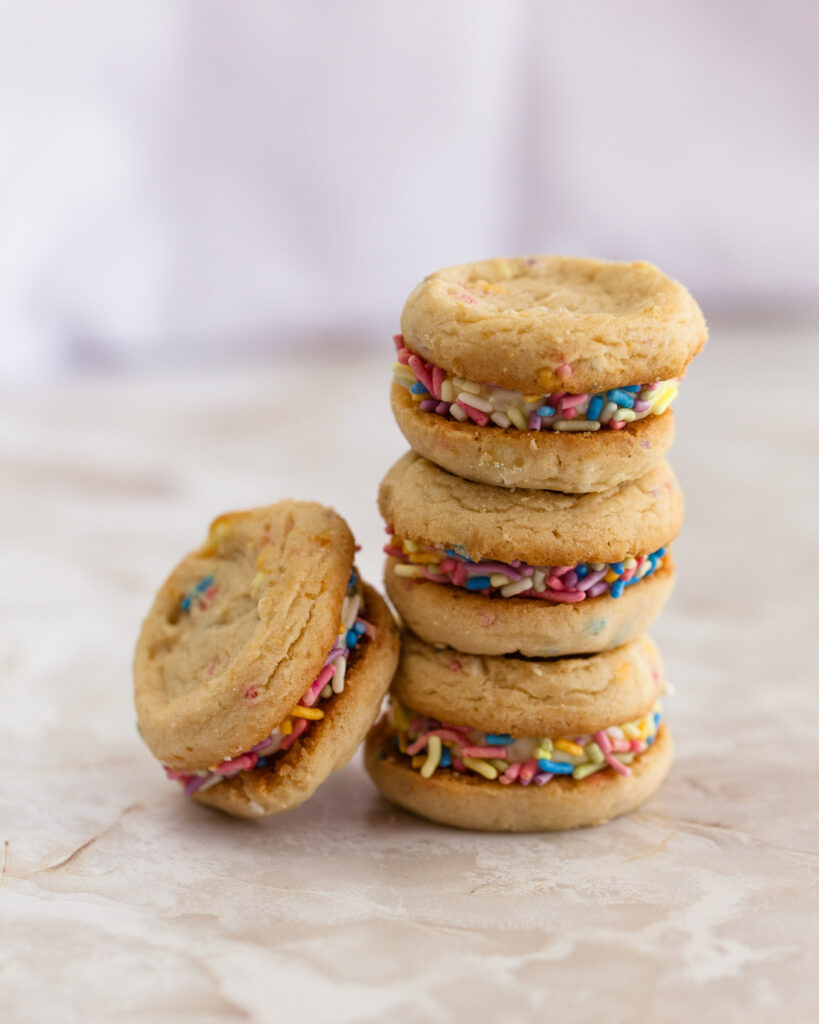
(264, 661)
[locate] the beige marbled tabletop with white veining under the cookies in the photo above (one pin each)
(122, 902)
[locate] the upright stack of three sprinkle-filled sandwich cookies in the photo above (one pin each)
(529, 541)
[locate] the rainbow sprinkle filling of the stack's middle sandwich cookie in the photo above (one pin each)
(562, 584)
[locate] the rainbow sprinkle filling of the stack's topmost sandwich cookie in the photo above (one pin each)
(489, 405)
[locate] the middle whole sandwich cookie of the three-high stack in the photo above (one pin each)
(491, 571)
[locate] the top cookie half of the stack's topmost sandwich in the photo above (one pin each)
(552, 323)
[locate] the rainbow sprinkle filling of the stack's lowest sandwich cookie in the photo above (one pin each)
(432, 746)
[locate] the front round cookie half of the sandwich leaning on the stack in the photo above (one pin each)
(240, 630)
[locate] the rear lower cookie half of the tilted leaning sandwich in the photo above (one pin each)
(299, 772)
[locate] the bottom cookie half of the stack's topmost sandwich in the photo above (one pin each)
(547, 460)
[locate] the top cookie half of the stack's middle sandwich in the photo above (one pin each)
(426, 504)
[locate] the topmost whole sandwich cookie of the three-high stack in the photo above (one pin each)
(547, 372)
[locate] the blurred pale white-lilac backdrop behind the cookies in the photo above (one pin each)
(186, 179)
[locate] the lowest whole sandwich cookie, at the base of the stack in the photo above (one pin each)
(512, 745)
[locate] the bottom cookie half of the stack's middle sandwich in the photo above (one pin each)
(450, 616)
